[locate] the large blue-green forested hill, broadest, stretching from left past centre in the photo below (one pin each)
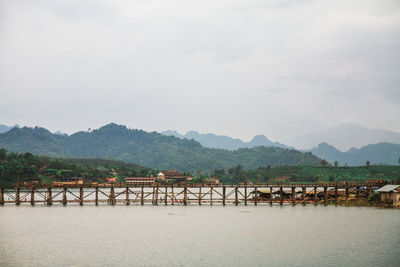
(153, 150)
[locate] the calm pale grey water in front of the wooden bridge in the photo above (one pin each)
(202, 236)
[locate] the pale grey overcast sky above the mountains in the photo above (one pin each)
(238, 68)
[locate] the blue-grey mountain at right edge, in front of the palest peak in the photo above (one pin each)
(380, 153)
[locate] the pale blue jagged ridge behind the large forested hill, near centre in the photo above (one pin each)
(224, 142)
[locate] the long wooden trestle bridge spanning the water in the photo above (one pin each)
(185, 194)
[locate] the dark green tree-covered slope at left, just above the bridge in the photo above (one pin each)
(20, 167)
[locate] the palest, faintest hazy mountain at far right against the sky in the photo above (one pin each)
(345, 137)
